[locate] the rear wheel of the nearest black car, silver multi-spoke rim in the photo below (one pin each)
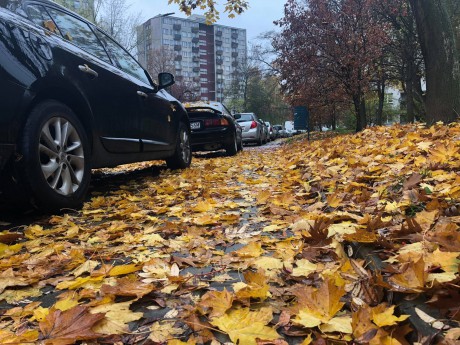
(54, 168)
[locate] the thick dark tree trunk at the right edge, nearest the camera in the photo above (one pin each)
(439, 50)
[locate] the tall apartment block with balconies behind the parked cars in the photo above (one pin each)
(204, 58)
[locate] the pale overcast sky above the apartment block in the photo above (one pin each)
(256, 20)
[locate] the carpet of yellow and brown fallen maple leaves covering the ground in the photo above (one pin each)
(347, 239)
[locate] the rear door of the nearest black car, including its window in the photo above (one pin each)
(109, 91)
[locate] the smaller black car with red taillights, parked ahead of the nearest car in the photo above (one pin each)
(214, 128)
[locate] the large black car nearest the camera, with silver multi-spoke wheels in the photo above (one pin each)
(73, 99)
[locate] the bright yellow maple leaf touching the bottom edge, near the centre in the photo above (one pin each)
(244, 326)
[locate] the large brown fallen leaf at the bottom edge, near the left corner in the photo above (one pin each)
(60, 328)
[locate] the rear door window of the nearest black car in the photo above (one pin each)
(79, 33)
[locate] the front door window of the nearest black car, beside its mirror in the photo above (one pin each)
(122, 58)
